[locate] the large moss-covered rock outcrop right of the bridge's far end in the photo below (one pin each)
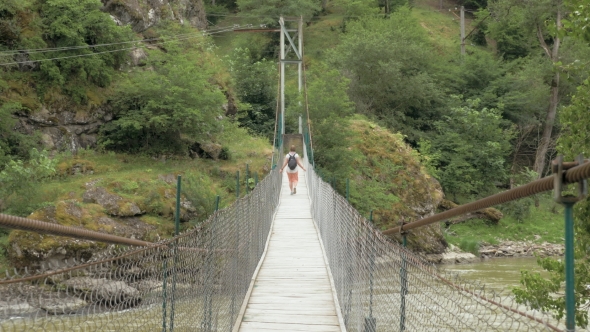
(389, 180)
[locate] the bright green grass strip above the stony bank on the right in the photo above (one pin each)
(544, 224)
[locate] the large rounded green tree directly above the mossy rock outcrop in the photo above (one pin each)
(390, 64)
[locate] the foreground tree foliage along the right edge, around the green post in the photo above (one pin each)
(547, 293)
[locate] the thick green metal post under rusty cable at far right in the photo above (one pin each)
(570, 300)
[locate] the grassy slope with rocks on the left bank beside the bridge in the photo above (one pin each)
(149, 183)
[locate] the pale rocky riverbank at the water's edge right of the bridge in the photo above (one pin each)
(454, 255)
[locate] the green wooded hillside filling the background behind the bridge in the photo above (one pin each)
(123, 101)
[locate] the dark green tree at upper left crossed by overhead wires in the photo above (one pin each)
(80, 23)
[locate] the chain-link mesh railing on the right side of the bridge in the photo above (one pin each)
(381, 286)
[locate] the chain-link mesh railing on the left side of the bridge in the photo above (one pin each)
(195, 282)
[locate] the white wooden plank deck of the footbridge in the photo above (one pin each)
(292, 291)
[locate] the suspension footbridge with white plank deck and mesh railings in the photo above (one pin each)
(270, 262)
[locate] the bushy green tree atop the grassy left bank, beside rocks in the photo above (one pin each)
(165, 109)
